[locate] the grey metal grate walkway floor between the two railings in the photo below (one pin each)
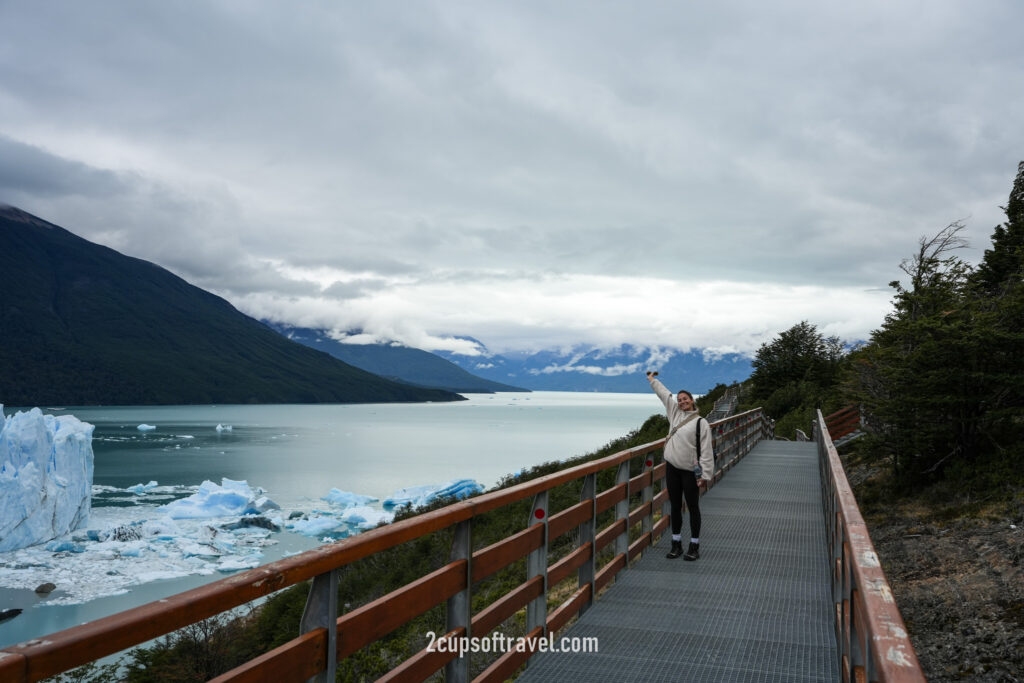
(757, 607)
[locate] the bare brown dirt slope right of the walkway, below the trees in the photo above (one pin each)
(958, 580)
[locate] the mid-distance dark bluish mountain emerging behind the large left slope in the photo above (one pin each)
(402, 364)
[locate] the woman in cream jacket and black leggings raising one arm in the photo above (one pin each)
(681, 458)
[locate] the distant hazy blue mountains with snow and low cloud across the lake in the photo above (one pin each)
(621, 369)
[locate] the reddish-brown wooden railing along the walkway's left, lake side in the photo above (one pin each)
(327, 638)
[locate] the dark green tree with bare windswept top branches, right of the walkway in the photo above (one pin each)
(914, 381)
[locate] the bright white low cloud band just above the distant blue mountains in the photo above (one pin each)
(560, 312)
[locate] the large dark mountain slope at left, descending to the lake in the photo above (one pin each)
(81, 324)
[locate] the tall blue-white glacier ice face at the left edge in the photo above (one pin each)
(47, 466)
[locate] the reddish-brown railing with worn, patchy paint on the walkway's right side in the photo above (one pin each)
(872, 641)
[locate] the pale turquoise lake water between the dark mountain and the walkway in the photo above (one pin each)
(296, 454)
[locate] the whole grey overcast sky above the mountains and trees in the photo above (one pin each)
(532, 175)
